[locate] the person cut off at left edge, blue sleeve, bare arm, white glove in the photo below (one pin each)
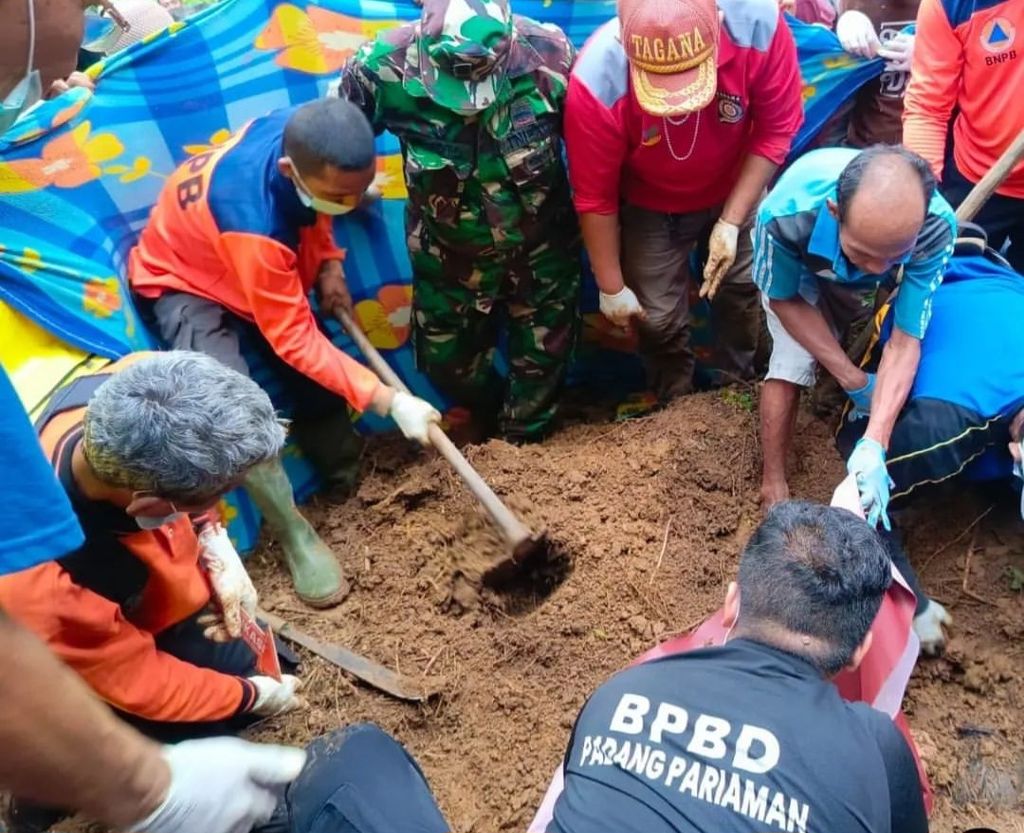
(61, 744)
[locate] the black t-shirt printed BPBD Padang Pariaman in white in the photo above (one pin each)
(738, 739)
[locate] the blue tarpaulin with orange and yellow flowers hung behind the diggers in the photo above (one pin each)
(79, 175)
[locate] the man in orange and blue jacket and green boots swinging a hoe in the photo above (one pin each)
(239, 238)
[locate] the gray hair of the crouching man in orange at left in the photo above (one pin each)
(182, 426)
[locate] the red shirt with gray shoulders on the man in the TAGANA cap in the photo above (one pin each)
(618, 153)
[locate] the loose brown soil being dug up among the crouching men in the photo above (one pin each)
(646, 522)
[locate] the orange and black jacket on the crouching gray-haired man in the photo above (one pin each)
(100, 609)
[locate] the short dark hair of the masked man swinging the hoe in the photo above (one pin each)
(329, 132)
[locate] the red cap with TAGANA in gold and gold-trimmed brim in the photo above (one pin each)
(672, 47)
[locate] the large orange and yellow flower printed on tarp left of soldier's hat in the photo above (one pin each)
(315, 41)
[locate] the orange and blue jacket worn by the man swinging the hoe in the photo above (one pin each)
(229, 227)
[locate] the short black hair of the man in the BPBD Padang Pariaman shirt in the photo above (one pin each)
(816, 571)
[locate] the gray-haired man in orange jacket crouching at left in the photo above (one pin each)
(144, 451)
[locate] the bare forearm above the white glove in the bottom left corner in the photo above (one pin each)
(63, 747)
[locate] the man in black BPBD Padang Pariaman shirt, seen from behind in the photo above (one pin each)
(751, 737)
